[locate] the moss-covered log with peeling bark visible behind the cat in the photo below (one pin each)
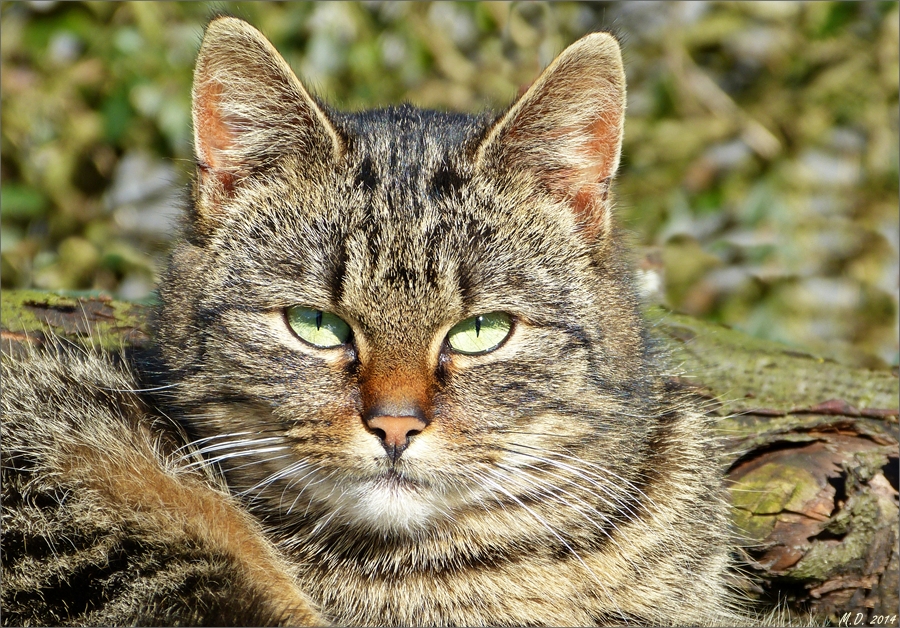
(811, 448)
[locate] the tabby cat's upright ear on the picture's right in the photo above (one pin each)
(566, 132)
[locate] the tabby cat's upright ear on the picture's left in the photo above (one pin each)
(248, 108)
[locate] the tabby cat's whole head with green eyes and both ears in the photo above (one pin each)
(384, 320)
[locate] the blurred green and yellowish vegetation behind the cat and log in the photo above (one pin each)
(760, 169)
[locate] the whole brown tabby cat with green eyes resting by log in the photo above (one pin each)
(401, 379)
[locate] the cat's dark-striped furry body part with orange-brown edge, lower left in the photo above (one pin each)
(106, 523)
